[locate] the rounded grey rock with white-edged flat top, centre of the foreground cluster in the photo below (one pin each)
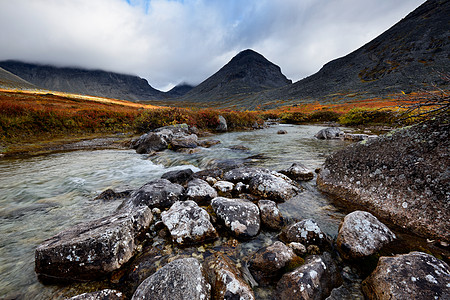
(240, 216)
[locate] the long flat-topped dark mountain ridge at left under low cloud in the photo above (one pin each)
(86, 82)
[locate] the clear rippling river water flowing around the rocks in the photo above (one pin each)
(43, 195)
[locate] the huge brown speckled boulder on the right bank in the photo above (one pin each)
(401, 177)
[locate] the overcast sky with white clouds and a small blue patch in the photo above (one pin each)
(169, 41)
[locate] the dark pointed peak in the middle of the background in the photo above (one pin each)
(248, 72)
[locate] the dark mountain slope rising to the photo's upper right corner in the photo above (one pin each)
(406, 57)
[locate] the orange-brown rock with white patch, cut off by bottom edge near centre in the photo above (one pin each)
(225, 279)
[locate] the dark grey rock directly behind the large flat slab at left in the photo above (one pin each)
(159, 193)
